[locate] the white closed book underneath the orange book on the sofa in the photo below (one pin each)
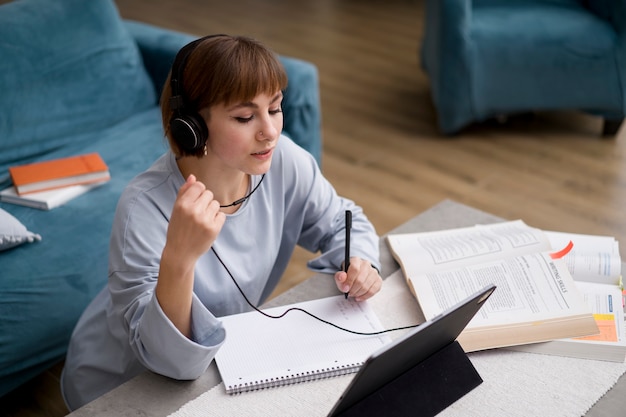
(45, 200)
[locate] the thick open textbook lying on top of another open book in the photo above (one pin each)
(536, 299)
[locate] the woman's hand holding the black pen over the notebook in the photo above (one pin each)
(361, 281)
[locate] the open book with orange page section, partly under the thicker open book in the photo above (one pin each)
(595, 265)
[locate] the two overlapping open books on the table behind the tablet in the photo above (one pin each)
(557, 293)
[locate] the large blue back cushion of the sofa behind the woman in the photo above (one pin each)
(58, 83)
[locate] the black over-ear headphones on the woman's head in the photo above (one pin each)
(187, 127)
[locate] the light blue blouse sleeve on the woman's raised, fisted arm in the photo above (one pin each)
(138, 236)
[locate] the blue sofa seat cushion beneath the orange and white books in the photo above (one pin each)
(46, 285)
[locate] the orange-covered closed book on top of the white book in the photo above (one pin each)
(58, 173)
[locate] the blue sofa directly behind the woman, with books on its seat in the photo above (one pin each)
(75, 78)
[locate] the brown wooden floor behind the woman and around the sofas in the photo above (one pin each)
(381, 144)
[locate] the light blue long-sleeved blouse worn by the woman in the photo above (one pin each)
(124, 331)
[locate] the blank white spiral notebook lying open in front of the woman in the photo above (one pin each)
(260, 352)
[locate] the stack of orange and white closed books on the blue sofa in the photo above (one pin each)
(48, 184)
